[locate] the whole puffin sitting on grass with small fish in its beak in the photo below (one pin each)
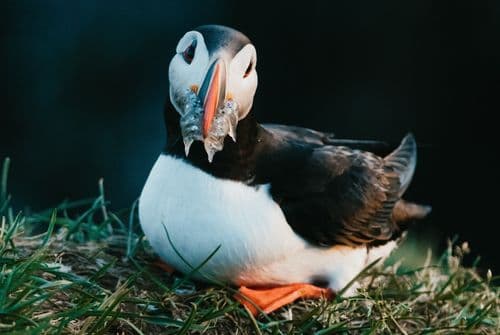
(282, 212)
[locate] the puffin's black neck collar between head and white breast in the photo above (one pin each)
(237, 159)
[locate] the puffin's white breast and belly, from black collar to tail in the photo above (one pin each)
(257, 246)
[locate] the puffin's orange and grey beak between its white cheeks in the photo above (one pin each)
(212, 93)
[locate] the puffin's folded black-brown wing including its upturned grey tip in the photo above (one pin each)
(334, 194)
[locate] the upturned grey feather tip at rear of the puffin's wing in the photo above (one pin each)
(403, 161)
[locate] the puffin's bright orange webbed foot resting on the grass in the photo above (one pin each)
(270, 299)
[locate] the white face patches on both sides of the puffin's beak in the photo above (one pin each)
(189, 67)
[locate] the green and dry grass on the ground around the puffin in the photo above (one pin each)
(90, 271)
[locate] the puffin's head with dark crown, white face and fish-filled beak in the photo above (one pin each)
(212, 84)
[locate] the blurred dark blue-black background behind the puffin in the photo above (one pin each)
(84, 83)
